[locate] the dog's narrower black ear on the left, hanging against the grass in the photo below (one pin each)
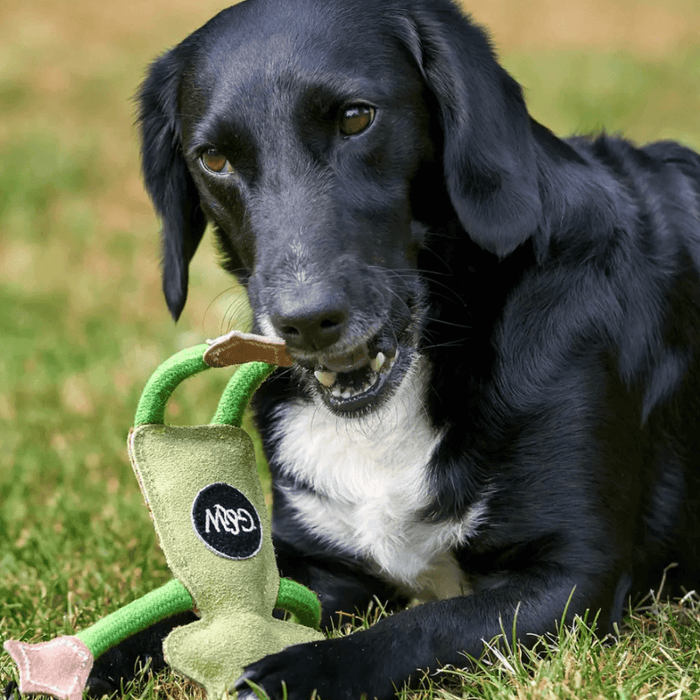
(167, 178)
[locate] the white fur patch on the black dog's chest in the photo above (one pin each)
(369, 481)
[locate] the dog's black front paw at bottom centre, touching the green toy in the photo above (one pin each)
(336, 669)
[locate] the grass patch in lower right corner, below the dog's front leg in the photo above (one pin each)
(657, 655)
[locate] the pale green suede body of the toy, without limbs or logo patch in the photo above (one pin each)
(234, 598)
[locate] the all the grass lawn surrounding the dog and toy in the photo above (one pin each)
(83, 325)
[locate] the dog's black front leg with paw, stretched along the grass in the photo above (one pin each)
(380, 660)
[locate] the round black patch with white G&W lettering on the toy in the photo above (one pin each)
(227, 522)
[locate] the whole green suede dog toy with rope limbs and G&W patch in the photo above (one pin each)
(206, 502)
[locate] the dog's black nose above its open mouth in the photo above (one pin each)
(311, 320)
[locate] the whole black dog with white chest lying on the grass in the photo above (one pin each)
(495, 407)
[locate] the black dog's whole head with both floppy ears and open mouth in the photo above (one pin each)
(326, 143)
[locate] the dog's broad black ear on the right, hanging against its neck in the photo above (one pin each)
(489, 158)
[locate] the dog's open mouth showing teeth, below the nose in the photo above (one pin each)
(361, 379)
